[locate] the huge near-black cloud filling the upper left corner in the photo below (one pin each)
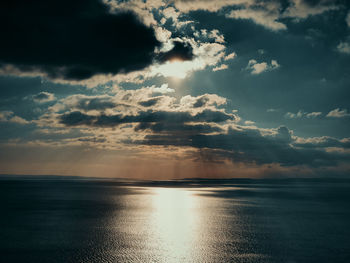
(72, 39)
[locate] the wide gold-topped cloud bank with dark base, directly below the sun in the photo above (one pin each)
(139, 106)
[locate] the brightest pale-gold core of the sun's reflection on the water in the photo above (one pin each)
(174, 223)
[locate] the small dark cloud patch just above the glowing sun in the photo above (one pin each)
(180, 51)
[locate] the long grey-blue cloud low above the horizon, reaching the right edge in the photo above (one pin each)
(250, 146)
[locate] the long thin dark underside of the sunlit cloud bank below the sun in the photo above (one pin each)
(78, 118)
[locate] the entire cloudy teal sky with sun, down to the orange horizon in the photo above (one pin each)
(170, 89)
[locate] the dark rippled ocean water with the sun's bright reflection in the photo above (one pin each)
(70, 220)
